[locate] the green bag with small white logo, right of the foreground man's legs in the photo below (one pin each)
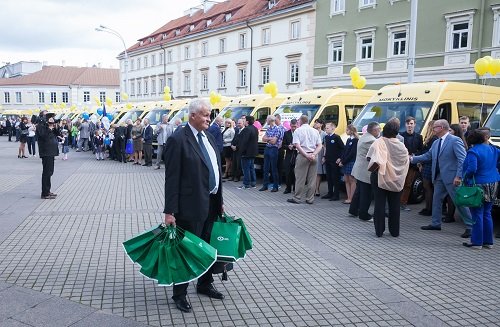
(225, 238)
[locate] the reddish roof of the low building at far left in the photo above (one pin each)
(57, 75)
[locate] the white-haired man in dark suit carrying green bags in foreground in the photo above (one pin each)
(193, 188)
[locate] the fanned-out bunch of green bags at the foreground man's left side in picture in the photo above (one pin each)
(170, 255)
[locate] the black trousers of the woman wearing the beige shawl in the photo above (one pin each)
(382, 196)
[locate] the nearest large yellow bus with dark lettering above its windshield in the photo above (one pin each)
(430, 101)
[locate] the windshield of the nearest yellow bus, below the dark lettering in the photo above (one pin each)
(381, 112)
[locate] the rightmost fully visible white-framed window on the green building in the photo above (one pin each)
(459, 31)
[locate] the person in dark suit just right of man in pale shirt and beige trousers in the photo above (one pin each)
(333, 151)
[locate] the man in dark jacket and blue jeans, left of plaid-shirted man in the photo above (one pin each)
(248, 143)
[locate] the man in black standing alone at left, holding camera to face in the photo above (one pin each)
(48, 149)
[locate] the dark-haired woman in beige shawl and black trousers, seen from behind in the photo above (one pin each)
(389, 162)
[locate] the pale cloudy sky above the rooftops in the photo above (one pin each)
(57, 31)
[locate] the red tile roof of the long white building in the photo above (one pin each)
(240, 10)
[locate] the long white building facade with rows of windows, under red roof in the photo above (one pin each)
(234, 59)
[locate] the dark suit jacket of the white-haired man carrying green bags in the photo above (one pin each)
(186, 181)
